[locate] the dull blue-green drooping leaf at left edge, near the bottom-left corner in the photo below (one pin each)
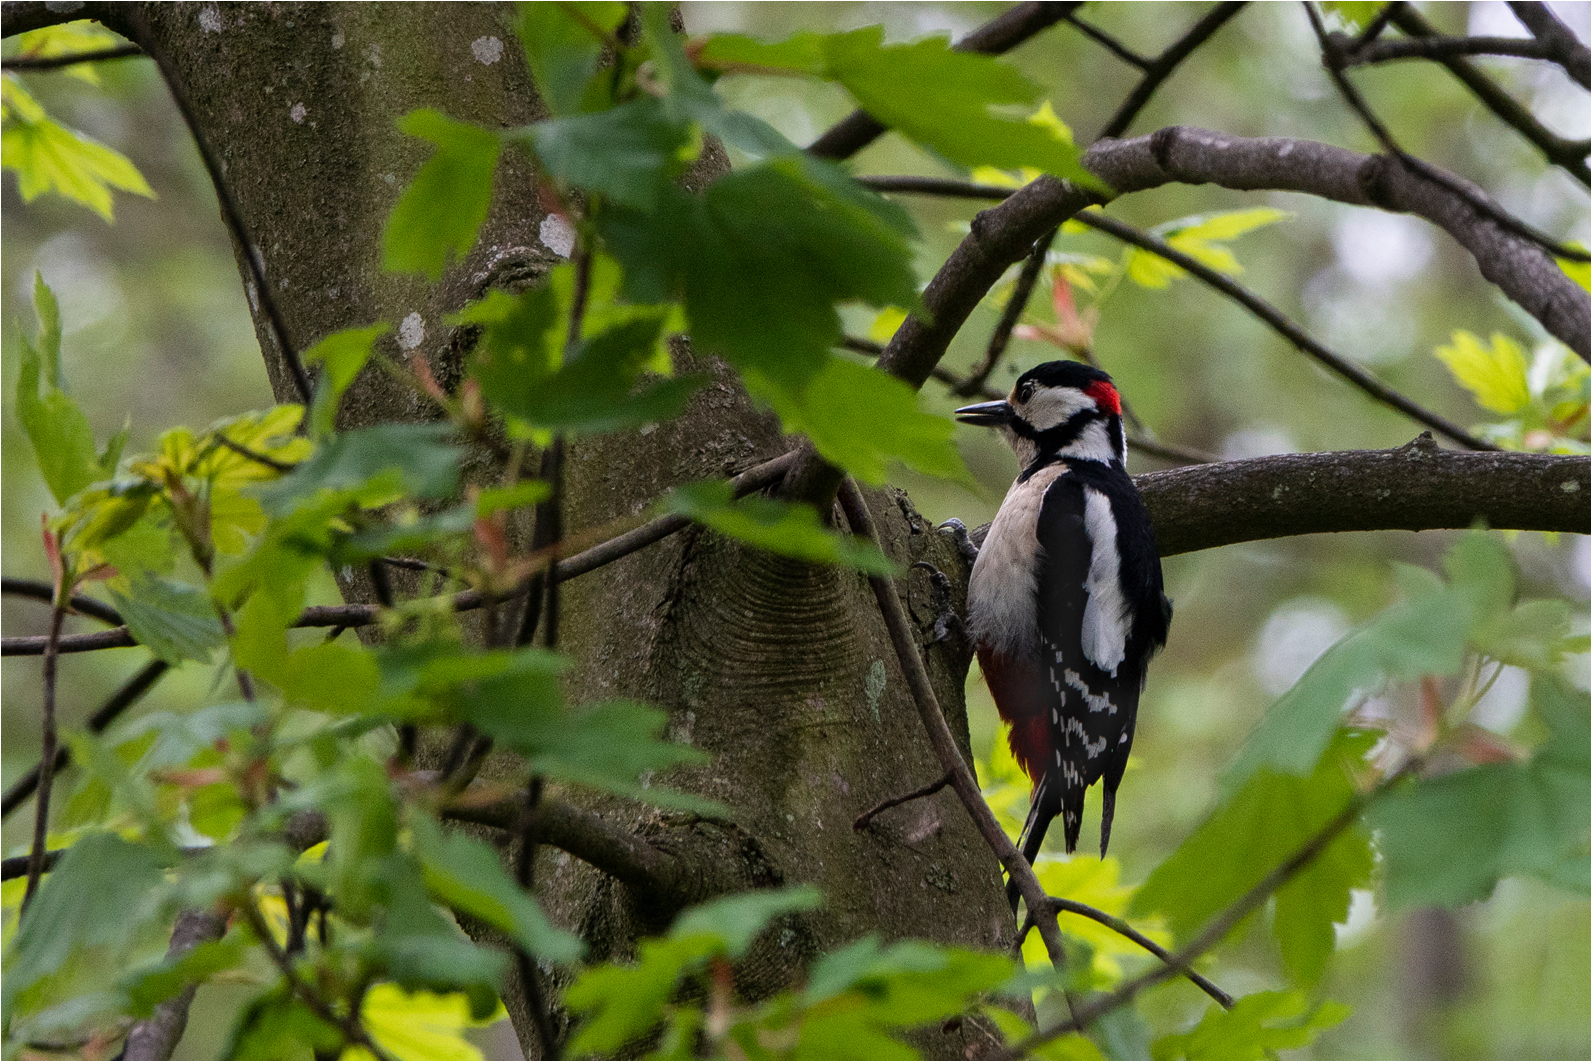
(71, 912)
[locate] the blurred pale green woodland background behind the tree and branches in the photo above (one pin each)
(159, 334)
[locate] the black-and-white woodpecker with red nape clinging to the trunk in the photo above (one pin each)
(1067, 605)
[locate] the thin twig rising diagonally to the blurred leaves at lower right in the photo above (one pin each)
(1224, 922)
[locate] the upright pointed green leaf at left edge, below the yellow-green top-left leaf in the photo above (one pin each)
(61, 436)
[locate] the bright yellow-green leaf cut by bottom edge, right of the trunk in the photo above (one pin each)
(1259, 1026)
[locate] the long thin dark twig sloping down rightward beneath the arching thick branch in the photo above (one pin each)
(1242, 296)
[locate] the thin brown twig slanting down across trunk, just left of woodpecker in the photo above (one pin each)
(945, 747)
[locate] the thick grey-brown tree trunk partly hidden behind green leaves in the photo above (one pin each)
(781, 672)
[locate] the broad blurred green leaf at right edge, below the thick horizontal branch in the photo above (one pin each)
(1447, 841)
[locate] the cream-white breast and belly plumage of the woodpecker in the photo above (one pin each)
(1003, 611)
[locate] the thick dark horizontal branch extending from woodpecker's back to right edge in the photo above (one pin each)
(1414, 488)
